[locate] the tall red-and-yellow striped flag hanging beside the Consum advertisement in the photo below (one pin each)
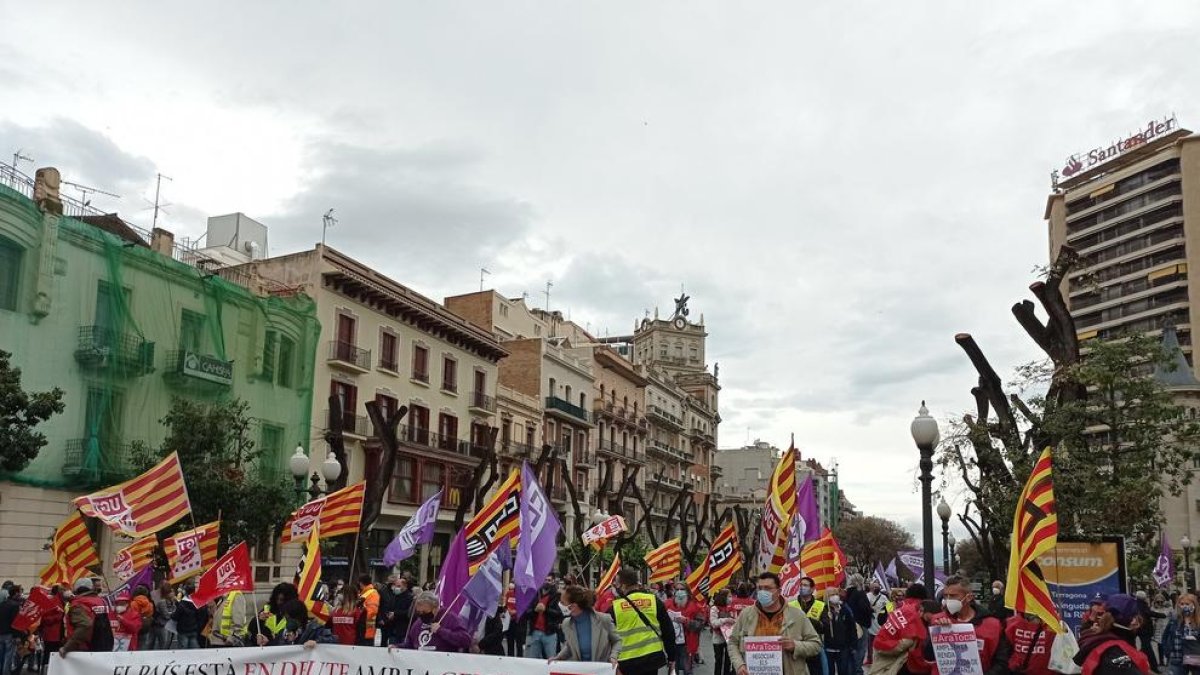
(1035, 534)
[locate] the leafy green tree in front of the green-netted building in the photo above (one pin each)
(221, 467)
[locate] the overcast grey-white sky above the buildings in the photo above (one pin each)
(841, 188)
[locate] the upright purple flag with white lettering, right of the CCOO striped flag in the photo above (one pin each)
(537, 547)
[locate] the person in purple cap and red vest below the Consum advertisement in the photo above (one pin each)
(1109, 648)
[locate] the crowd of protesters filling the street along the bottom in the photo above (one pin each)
(855, 630)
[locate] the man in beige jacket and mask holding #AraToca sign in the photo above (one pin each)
(771, 617)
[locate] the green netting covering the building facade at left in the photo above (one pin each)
(122, 330)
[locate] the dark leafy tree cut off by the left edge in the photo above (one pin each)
(20, 414)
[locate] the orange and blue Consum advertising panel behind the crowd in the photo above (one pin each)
(1077, 572)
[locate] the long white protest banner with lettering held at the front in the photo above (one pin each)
(325, 660)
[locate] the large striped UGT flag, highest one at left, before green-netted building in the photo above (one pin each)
(143, 505)
